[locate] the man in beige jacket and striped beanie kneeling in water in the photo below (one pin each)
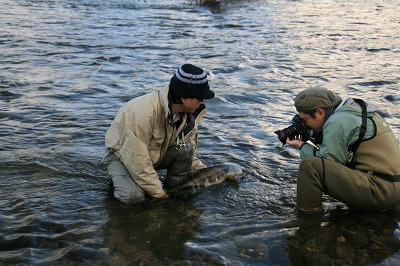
(157, 131)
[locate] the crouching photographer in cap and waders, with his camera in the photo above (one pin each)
(355, 159)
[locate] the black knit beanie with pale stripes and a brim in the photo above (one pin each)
(190, 81)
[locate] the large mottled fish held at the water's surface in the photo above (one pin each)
(207, 177)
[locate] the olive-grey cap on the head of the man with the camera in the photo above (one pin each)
(313, 98)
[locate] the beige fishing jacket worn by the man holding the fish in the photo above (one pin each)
(140, 136)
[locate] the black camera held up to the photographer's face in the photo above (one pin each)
(298, 127)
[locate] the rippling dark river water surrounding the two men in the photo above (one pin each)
(67, 66)
